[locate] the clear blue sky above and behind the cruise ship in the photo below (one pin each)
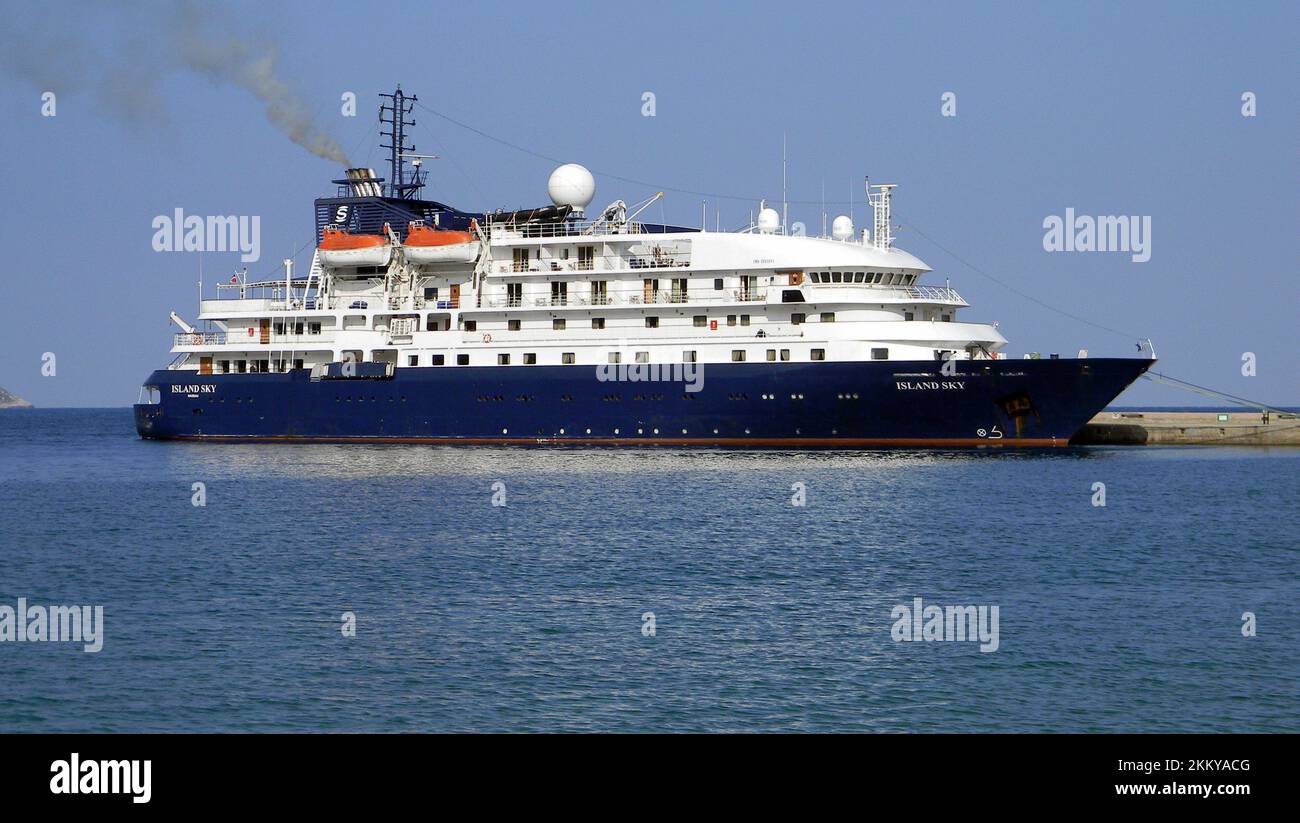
(1104, 109)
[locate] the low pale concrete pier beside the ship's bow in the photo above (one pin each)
(1189, 430)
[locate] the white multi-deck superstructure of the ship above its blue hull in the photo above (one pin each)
(590, 293)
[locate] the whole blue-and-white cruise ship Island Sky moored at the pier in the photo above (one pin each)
(419, 323)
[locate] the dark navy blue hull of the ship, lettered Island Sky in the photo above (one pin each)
(804, 405)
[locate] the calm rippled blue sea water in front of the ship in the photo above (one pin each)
(530, 617)
